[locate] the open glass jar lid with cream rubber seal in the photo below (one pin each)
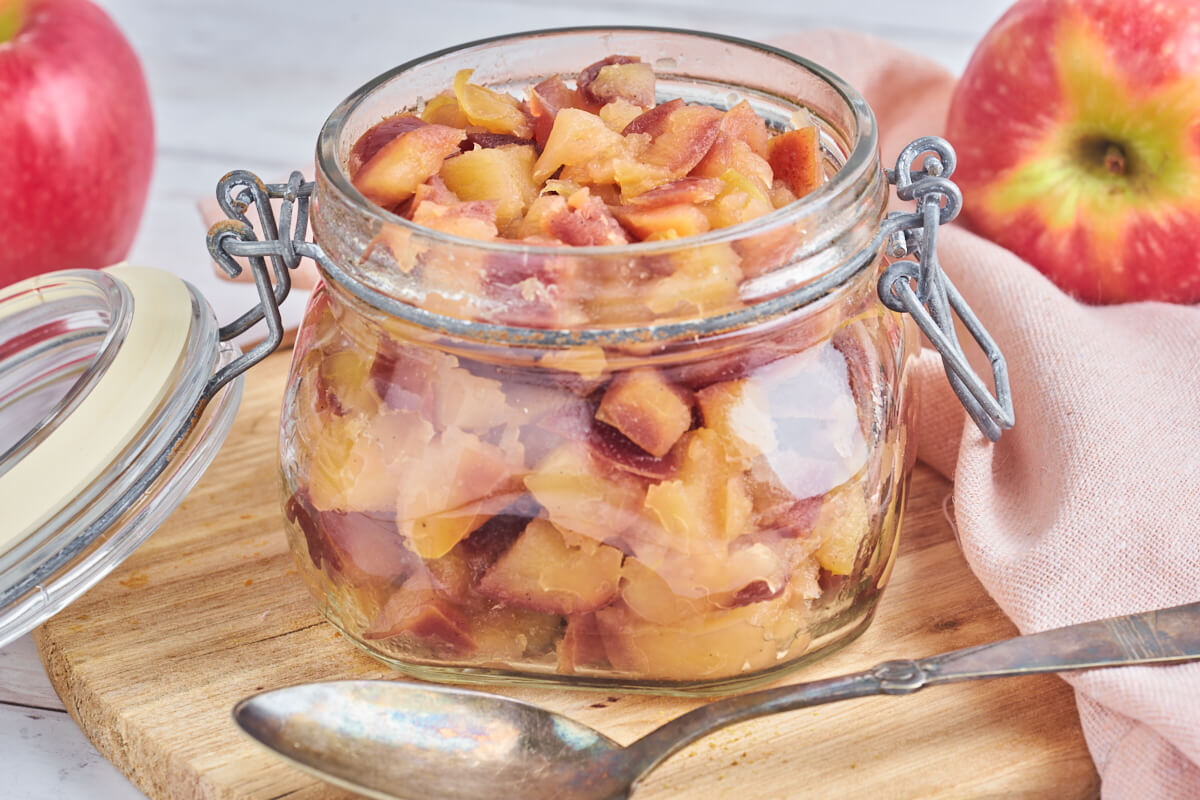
(106, 424)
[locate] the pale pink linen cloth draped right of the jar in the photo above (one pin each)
(1090, 507)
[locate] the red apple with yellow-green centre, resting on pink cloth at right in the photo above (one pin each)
(1077, 124)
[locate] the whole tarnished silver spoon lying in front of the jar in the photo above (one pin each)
(412, 742)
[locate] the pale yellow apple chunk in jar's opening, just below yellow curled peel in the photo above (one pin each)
(497, 175)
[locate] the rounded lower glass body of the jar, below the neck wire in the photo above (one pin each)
(464, 514)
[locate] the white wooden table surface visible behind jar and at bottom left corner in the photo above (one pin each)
(248, 85)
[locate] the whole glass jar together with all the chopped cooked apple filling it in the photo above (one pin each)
(602, 449)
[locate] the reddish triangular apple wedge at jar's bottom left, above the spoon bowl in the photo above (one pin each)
(418, 611)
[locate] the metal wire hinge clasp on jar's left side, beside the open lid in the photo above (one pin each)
(236, 238)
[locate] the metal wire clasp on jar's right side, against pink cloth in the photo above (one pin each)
(921, 288)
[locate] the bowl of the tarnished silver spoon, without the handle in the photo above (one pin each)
(392, 739)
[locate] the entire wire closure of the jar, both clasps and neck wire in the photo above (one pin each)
(916, 287)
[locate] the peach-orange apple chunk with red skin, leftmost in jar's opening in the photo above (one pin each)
(406, 163)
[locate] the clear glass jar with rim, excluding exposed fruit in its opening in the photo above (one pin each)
(671, 467)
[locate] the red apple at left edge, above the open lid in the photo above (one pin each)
(77, 135)
